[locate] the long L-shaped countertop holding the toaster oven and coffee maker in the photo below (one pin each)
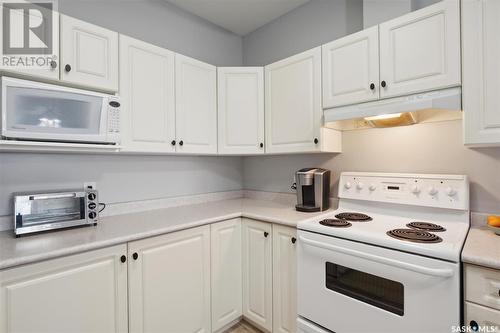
(124, 228)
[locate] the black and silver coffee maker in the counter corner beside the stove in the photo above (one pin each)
(313, 189)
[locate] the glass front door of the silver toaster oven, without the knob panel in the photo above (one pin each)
(40, 212)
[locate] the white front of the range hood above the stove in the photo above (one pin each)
(446, 99)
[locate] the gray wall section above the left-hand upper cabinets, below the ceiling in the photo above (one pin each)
(162, 24)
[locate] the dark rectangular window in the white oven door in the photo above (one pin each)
(374, 290)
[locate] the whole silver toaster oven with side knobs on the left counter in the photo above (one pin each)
(35, 212)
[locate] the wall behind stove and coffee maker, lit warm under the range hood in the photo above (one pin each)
(423, 148)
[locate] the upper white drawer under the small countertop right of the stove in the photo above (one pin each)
(482, 286)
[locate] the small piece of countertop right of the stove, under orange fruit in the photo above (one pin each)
(482, 247)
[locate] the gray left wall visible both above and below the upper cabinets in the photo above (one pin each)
(126, 178)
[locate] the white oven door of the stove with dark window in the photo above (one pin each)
(347, 286)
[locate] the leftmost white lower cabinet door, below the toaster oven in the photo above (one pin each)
(80, 293)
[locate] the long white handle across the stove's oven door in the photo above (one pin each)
(445, 273)
